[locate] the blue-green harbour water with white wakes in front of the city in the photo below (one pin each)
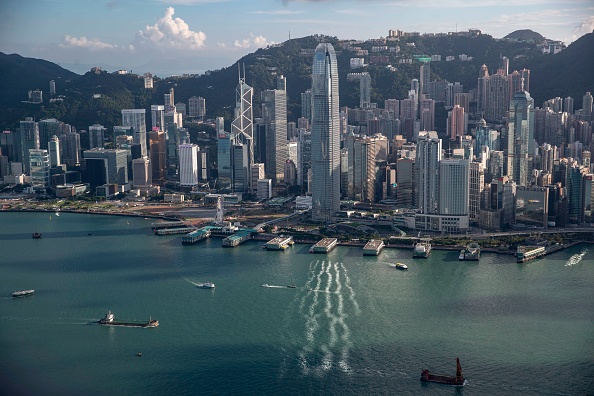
(352, 326)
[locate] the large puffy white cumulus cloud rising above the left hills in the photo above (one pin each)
(170, 33)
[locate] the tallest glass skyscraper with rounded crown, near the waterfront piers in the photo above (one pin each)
(325, 135)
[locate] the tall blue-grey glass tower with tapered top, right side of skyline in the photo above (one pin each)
(520, 129)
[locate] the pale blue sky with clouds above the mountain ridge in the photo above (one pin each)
(192, 36)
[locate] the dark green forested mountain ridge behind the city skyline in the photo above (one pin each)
(99, 97)
